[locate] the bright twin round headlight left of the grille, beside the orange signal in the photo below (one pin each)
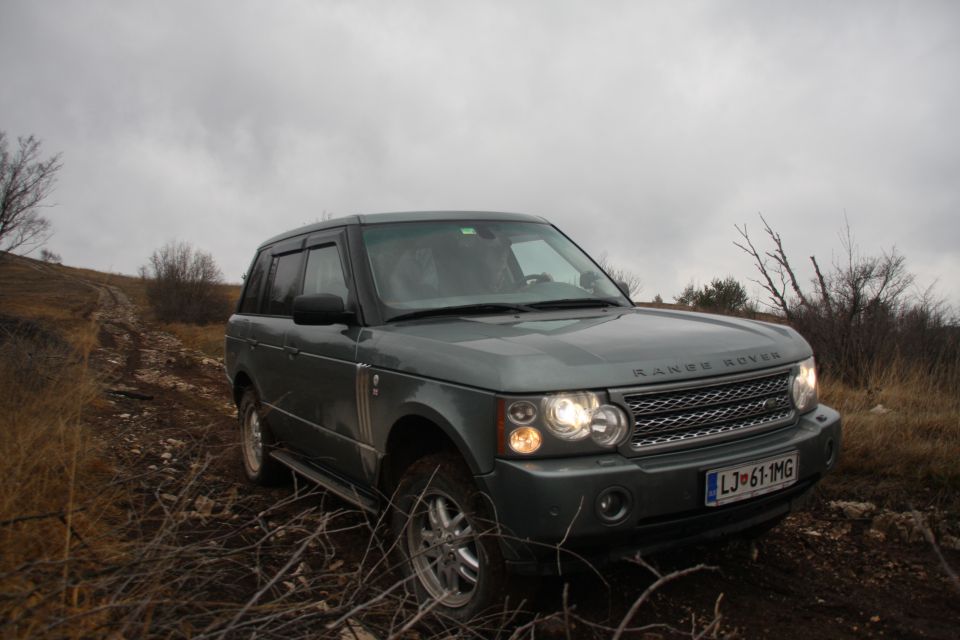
(575, 416)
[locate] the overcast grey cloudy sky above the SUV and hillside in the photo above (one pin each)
(644, 130)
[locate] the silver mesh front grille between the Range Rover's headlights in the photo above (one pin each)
(681, 415)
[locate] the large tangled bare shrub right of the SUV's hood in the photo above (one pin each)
(861, 315)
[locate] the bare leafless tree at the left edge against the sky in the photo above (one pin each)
(25, 182)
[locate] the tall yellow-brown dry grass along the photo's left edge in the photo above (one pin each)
(53, 505)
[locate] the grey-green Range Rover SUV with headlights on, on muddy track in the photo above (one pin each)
(481, 378)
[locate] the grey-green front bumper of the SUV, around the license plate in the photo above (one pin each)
(548, 512)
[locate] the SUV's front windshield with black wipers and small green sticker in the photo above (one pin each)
(483, 267)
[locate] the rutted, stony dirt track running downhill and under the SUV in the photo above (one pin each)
(305, 563)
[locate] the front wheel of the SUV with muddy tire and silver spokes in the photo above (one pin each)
(448, 546)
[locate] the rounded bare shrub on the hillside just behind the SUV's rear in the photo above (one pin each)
(184, 284)
